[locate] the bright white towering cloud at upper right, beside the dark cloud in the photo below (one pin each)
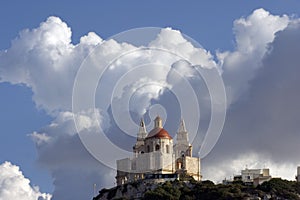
(252, 34)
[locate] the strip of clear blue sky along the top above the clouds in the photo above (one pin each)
(200, 20)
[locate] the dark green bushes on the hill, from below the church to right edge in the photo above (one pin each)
(273, 189)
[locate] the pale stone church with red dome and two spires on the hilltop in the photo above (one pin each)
(154, 153)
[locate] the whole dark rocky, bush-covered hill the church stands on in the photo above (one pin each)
(273, 189)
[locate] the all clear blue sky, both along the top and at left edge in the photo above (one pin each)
(208, 22)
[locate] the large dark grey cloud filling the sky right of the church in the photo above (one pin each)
(265, 121)
